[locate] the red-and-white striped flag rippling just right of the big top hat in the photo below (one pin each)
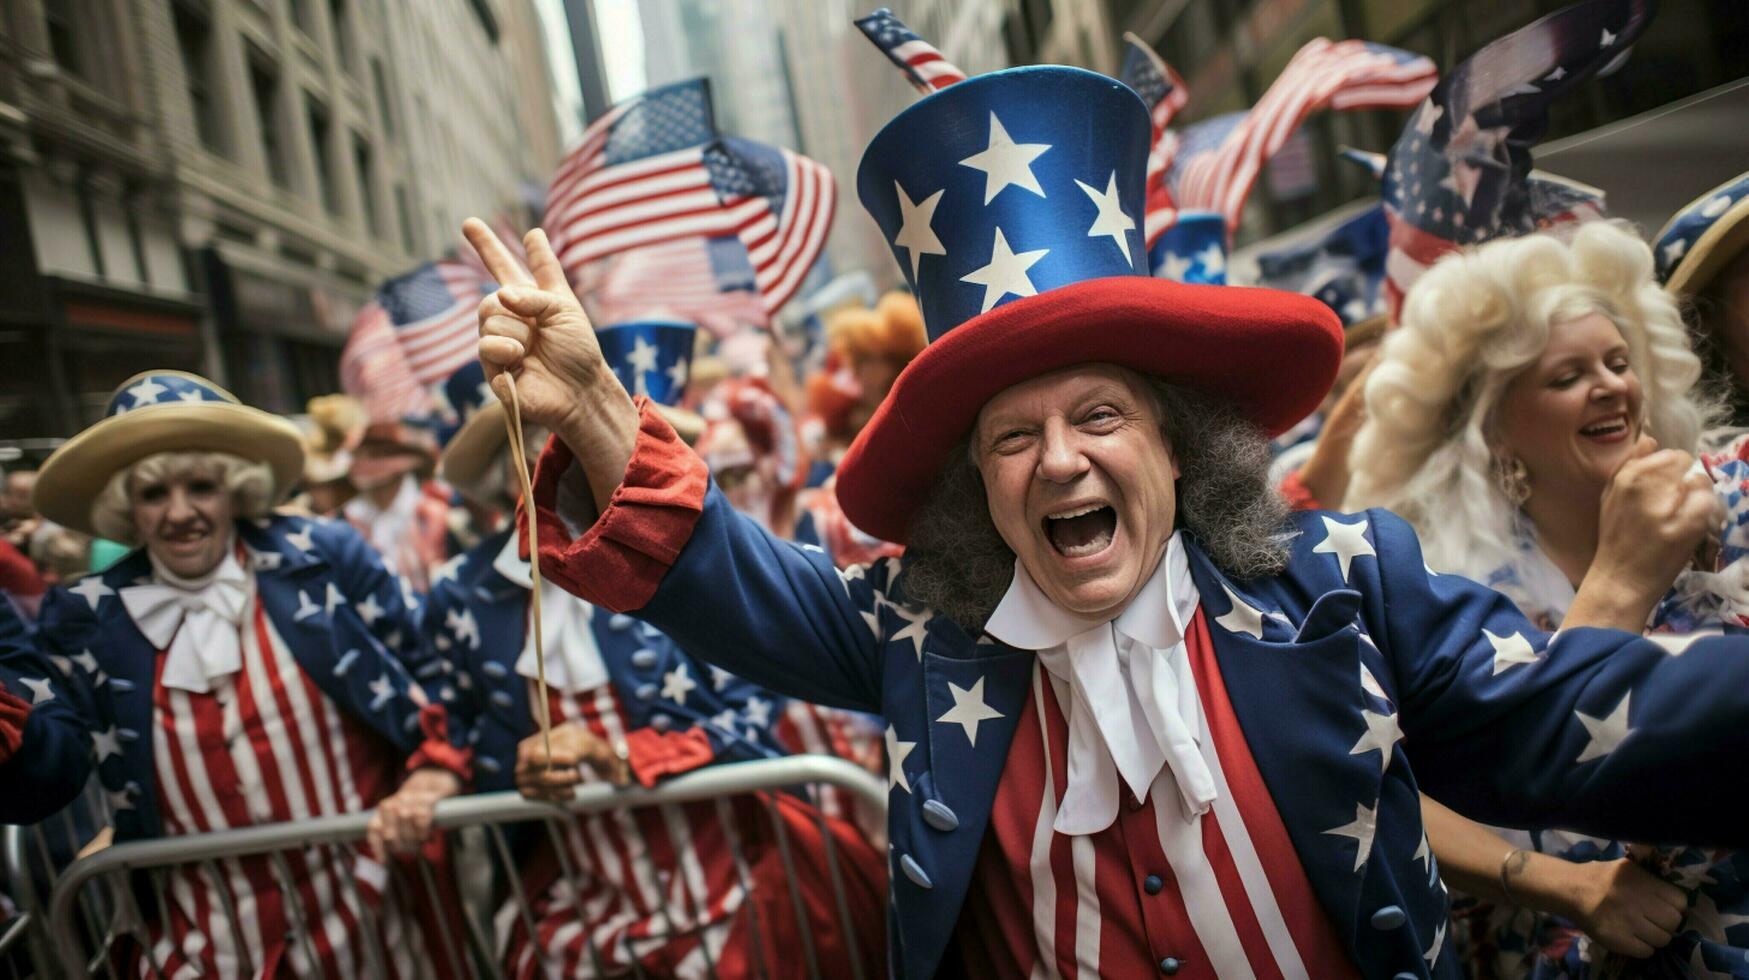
(1218, 162)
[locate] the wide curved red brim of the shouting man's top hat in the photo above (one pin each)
(1272, 354)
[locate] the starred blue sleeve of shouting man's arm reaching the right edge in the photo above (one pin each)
(1592, 731)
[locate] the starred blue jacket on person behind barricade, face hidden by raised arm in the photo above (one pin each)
(475, 627)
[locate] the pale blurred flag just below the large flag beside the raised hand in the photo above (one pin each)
(706, 281)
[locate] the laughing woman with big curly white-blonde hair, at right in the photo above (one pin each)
(1535, 419)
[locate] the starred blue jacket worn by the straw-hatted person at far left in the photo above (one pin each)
(347, 620)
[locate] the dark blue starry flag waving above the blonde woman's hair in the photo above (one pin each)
(1460, 172)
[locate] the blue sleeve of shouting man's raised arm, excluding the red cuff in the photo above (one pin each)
(776, 613)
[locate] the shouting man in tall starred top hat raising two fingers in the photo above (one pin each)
(1139, 720)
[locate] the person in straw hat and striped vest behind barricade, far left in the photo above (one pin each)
(239, 668)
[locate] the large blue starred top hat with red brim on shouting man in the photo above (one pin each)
(1014, 206)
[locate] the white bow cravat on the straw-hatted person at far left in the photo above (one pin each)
(195, 619)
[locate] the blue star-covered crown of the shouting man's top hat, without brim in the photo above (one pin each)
(1010, 185)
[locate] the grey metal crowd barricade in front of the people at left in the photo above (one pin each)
(97, 902)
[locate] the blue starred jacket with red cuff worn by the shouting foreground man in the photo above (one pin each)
(1592, 731)
